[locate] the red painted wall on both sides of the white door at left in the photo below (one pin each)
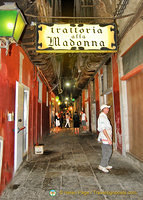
(9, 74)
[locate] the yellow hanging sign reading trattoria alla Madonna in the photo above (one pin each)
(76, 38)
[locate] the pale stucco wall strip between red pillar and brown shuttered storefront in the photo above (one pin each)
(134, 34)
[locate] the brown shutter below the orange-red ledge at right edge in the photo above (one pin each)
(135, 115)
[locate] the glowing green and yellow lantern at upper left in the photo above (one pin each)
(12, 24)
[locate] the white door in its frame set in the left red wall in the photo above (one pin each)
(21, 124)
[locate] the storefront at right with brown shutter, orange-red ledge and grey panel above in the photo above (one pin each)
(133, 75)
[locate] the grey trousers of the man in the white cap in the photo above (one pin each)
(106, 154)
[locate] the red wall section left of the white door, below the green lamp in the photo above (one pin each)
(8, 76)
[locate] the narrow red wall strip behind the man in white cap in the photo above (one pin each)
(117, 101)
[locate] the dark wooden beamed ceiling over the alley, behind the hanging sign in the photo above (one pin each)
(76, 67)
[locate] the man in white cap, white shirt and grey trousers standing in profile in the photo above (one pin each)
(105, 136)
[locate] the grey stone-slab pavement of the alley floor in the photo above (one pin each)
(69, 166)
